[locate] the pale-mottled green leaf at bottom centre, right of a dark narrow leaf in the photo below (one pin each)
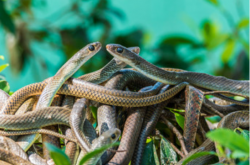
(168, 155)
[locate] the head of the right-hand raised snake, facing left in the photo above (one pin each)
(122, 53)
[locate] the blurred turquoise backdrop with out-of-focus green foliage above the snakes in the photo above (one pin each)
(38, 36)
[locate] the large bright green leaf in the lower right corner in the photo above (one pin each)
(229, 139)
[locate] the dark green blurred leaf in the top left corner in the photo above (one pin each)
(5, 19)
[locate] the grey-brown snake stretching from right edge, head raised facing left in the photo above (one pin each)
(215, 83)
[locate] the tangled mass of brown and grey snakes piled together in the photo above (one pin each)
(129, 103)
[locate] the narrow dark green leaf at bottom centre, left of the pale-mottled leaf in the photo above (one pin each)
(148, 157)
